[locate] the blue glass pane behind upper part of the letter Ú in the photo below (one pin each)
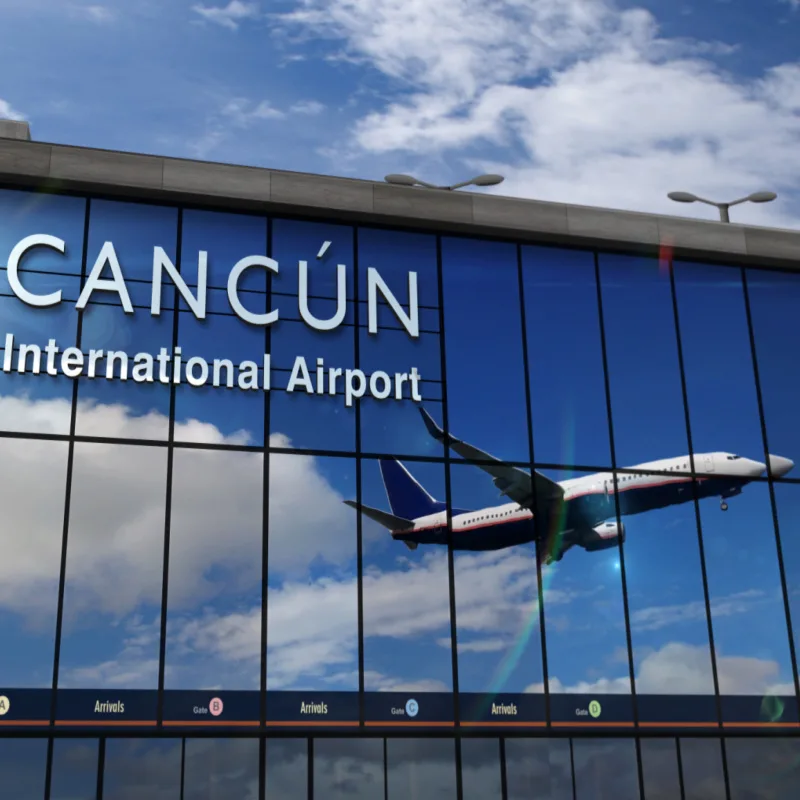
(294, 241)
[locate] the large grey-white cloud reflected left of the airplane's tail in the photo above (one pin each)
(118, 506)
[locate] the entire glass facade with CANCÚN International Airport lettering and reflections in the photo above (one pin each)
(306, 509)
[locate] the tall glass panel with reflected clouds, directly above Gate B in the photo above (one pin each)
(214, 611)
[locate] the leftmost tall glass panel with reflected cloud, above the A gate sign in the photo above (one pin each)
(32, 492)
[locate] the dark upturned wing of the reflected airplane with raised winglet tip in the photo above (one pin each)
(515, 483)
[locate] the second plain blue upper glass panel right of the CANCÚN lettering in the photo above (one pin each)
(568, 406)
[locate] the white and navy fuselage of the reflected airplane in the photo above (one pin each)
(588, 501)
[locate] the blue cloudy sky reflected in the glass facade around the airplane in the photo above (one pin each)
(115, 548)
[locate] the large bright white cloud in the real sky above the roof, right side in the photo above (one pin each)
(573, 100)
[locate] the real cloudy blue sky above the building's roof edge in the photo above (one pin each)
(586, 101)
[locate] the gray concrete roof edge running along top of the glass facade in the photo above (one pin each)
(51, 166)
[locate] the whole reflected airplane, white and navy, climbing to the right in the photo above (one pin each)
(581, 510)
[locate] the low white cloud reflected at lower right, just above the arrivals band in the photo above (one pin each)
(679, 668)
